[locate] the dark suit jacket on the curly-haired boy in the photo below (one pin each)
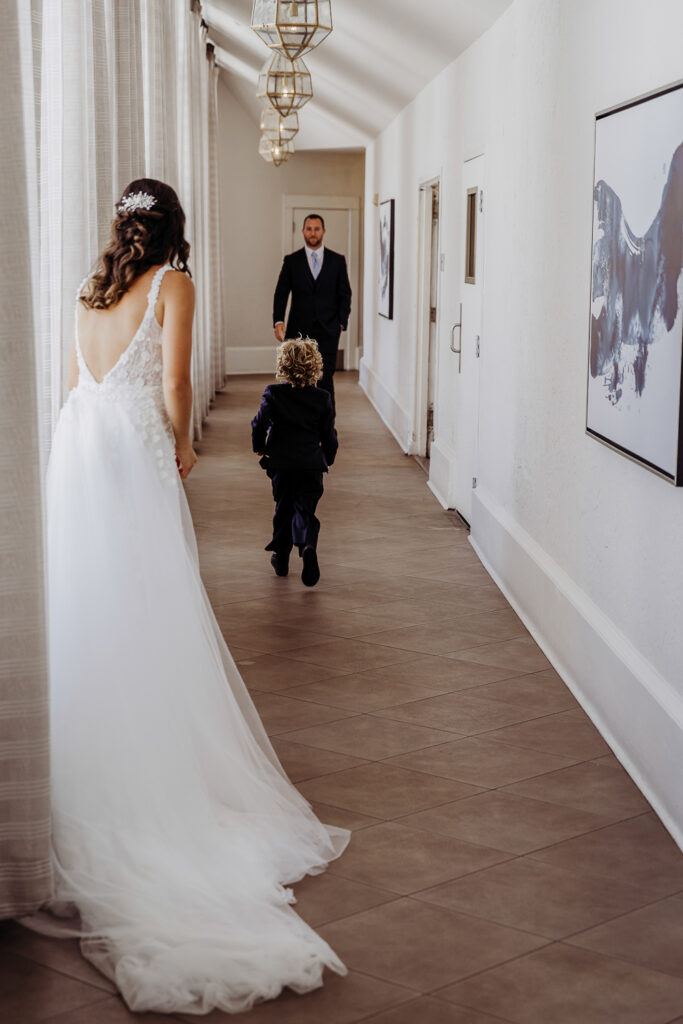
(295, 429)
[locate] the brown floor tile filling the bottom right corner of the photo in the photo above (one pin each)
(566, 986)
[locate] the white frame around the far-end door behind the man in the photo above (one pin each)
(352, 346)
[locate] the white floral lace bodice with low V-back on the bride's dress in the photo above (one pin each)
(136, 385)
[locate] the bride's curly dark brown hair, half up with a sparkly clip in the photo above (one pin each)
(141, 239)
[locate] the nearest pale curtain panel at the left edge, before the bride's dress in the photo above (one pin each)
(25, 820)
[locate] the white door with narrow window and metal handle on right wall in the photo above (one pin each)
(466, 338)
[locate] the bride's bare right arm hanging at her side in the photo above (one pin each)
(178, 310)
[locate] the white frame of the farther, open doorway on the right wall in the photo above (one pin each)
(421, 396)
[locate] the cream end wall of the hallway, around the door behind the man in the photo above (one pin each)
(251, 216)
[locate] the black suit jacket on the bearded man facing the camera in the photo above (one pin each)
(326, 301)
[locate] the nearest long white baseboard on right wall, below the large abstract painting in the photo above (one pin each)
(638, 712)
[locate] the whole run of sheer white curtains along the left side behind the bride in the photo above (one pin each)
(97, 93)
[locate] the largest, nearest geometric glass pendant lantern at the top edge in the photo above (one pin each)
(292, 29)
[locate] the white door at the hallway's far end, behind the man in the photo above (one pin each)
(341, 234)
